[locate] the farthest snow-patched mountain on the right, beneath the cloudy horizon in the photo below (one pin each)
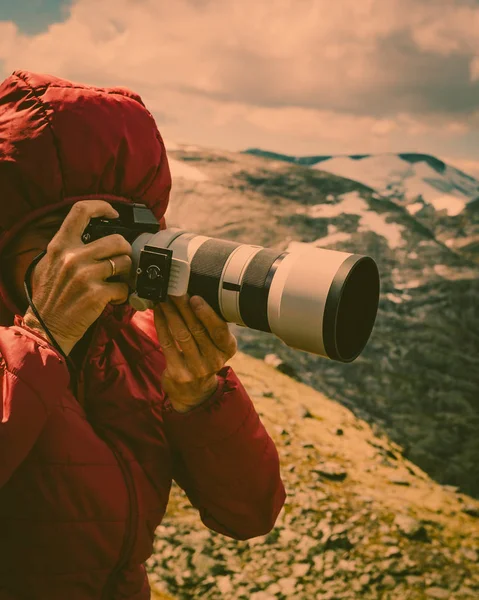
(443, 198)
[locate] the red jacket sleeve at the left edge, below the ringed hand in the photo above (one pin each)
(28, 365)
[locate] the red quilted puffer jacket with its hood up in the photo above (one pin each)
(64, 502)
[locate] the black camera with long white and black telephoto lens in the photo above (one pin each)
(315, 300)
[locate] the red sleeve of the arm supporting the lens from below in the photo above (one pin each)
(226, 462)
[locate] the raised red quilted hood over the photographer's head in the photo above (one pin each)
(61, 142)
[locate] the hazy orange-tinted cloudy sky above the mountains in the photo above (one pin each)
(301, 77)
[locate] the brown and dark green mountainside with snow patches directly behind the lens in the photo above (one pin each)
(418, 377)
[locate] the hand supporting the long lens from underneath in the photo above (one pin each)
(196, 345)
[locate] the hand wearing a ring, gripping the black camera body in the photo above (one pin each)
(69, 284)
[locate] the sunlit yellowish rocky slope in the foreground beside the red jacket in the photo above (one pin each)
(359, 521)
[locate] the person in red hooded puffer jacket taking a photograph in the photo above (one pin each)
(85, 474)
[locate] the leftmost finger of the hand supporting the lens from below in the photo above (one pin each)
(185, 330)
